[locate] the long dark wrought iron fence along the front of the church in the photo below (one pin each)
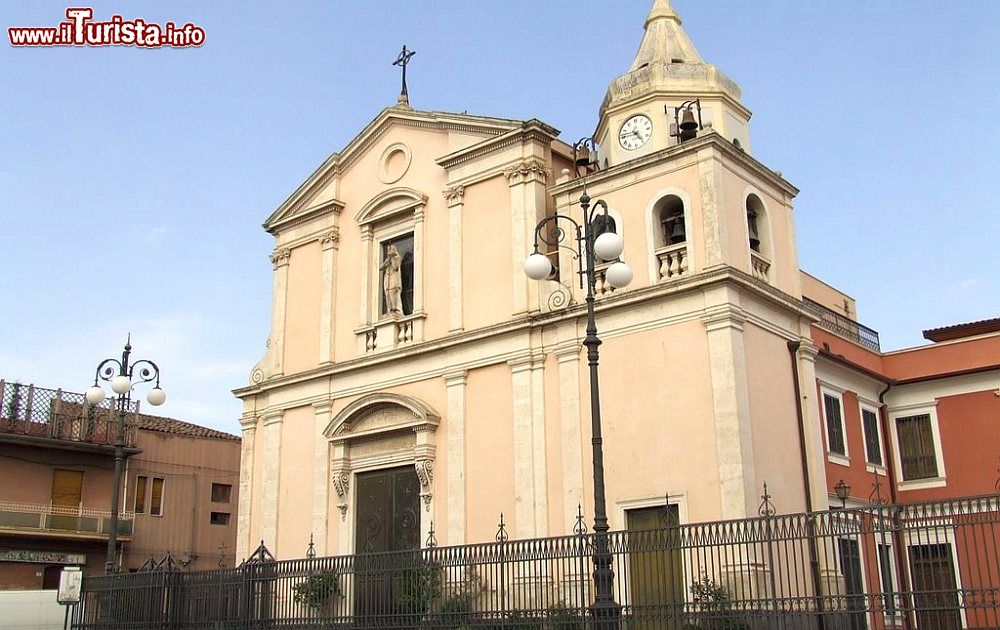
(931, 565)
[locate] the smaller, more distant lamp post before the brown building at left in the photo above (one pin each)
(122, 376)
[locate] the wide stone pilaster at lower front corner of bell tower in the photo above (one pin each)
(731, 404)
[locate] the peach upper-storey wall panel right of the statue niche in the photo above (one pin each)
(486, 272)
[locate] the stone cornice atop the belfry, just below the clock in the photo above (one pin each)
(711, 140)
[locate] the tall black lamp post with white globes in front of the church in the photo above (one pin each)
(588, 249)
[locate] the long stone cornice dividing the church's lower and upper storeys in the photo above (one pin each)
(619, 300)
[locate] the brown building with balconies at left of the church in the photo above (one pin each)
(179, 489)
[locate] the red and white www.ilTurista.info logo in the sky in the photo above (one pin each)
(79, 29)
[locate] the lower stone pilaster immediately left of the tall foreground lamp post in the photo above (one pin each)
(568, 356)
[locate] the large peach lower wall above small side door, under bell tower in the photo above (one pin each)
(658, 421)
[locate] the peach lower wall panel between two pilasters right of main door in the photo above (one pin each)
(490, 443)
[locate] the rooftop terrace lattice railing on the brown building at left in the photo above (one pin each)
(53, 413)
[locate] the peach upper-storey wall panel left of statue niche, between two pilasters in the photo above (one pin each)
(301, 339)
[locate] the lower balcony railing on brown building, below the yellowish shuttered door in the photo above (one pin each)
(54, 519)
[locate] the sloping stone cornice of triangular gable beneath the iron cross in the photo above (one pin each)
(311, 198)
